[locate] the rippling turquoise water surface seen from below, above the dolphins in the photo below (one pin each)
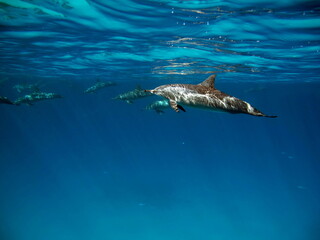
(80, 34)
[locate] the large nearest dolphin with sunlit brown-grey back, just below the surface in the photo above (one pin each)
(204, 95)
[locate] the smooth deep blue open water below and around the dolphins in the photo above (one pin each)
(88, 167)
